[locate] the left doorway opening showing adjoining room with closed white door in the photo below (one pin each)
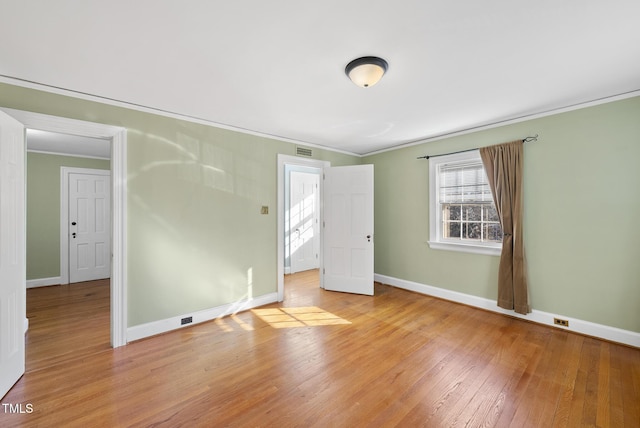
(69, 315)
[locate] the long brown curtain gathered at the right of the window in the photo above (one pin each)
(503, 164)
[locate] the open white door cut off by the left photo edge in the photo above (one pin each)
(12, 252)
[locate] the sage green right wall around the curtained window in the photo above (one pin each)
(582, 206)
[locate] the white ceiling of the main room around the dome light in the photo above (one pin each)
(277, 67)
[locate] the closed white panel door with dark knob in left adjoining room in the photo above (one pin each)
(89, 226)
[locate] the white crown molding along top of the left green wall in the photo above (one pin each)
(160, 112)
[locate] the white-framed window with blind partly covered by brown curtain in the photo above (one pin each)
(463, 216)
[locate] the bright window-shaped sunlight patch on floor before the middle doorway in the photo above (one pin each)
(309, 316)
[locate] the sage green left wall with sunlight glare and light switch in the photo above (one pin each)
(196, 238)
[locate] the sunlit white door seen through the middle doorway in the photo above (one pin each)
(303, 221)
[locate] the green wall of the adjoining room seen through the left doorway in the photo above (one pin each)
(43, 210)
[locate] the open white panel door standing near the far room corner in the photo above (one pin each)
(348, 229)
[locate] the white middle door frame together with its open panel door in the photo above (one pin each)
(347, 197)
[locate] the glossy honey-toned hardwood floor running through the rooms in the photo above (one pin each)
(320, 359)
